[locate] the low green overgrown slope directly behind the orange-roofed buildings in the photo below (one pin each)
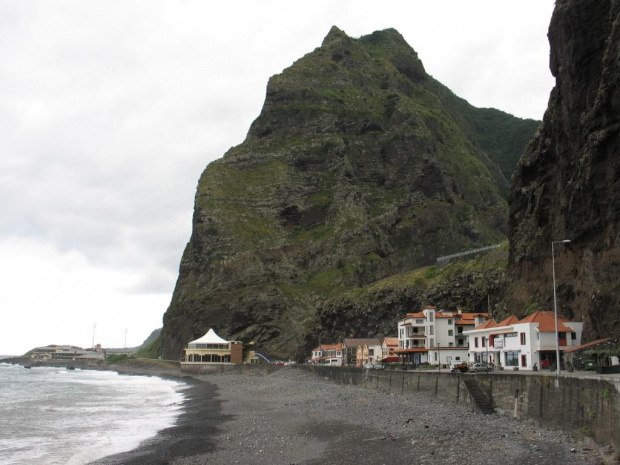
(477, 284)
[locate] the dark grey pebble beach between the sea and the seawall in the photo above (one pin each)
(288, 416)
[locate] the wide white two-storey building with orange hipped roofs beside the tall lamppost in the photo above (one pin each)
(525, 343)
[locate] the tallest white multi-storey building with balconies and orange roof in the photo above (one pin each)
(436, 336)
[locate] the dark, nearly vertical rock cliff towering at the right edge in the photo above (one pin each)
(567, 184)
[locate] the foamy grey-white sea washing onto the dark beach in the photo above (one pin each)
(59, 416)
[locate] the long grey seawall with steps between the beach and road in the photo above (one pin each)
(585, 406)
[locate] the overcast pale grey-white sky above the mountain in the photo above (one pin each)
(110, 110)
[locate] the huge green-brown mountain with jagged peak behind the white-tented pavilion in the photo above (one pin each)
(360, 166)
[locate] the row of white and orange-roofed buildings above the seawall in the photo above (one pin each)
(439, 338)
